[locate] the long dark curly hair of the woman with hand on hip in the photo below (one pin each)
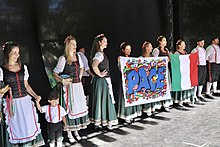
(96, 46)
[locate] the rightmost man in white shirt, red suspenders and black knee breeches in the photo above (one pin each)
(213, 58)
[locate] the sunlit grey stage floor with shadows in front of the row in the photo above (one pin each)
(191, 126)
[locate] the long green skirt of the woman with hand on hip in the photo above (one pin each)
(101, 107)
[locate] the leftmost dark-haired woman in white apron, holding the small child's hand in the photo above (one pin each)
(21, 118)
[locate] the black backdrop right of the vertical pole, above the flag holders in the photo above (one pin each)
(196, 18)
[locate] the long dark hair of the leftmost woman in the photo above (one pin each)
(7, 48)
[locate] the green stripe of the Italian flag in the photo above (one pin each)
(176, 75)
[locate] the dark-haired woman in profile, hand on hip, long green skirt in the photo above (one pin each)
(101, 102)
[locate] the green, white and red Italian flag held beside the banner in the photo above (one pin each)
(184, 71)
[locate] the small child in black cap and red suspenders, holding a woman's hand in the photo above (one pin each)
(55, 115)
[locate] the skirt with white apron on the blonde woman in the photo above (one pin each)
(74, 102)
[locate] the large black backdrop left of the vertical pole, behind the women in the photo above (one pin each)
(40, 27)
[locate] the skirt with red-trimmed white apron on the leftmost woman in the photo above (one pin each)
(20, 124)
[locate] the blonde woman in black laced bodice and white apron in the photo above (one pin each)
(68, 71)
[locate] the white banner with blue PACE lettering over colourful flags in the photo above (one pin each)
(144, 80)
